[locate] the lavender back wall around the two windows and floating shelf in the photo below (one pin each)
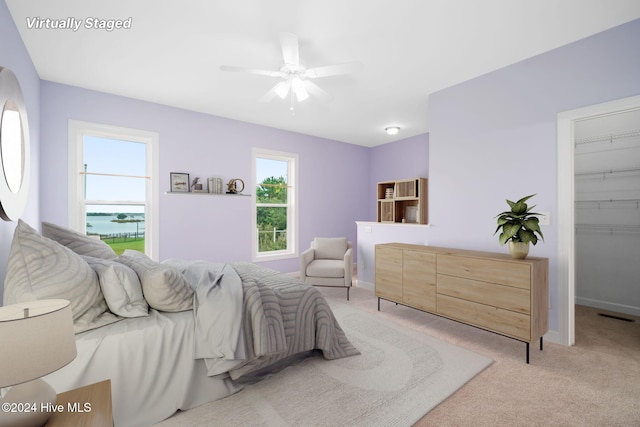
(333, 187)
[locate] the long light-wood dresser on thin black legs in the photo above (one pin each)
(488, 290)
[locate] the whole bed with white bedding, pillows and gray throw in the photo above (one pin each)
(170, 335)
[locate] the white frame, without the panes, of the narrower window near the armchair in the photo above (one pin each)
(292, 205)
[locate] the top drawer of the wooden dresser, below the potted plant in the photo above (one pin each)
(495, 271)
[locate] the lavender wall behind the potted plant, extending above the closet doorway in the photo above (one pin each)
(494, 137)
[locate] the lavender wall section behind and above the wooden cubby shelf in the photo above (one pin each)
(406, 158)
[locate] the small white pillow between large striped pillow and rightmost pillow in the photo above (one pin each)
(120, 286)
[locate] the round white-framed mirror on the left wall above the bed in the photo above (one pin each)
(14, 148)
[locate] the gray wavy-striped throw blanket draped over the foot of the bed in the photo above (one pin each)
(249, 317)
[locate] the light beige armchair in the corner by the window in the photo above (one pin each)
(328, 262)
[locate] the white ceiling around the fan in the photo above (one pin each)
(409, 49)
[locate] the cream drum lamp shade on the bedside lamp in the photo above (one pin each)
(36, 338)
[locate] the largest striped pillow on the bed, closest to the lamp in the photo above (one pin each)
(40, 268)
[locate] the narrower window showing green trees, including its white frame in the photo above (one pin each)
(275, 216)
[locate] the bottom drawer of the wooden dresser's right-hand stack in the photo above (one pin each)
(495, 319)
